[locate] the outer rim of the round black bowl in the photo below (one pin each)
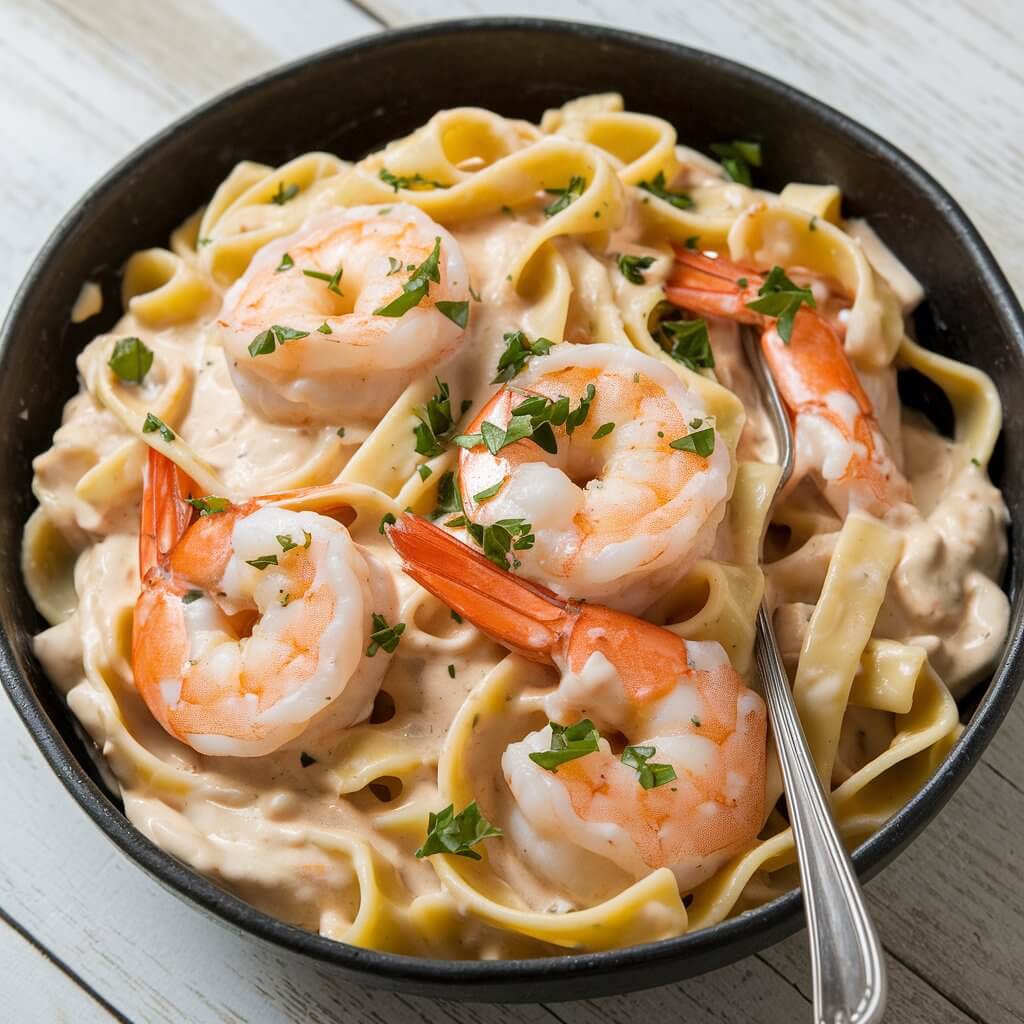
(751, 931)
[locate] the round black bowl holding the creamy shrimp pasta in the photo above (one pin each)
(352, 101)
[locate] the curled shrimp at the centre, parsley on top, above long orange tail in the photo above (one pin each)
(617, 514)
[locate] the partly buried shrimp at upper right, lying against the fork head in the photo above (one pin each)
(837, 434)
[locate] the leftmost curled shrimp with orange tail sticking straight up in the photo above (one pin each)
(251, 620)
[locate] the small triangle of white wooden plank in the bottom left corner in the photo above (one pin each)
(35, 990)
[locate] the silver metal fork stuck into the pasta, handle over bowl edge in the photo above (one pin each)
(847, 965)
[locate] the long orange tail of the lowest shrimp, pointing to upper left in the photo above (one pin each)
(518, 614)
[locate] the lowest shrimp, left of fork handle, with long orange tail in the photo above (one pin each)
(628, 676)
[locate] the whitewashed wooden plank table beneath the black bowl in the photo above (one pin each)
(84, 935)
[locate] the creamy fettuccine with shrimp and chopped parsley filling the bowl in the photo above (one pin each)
(403, 545)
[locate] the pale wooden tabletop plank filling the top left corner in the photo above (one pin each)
(94, 80)
